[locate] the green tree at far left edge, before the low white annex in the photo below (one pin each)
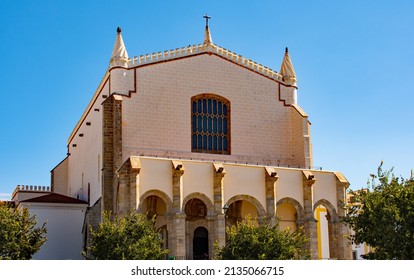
(20, 237)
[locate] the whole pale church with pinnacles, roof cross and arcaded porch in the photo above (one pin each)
(202, 137)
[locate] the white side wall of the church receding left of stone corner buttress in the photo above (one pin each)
(86, 157)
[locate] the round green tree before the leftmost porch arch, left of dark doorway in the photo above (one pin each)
(128, 237)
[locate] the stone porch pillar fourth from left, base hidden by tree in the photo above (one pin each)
(270, 183)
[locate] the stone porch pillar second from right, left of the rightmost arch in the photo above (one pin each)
(309, 224)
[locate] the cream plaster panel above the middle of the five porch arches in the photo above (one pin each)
(246, 180)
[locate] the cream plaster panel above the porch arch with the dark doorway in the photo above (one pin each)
(198, 177)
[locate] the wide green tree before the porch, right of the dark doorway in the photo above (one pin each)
(250, 241)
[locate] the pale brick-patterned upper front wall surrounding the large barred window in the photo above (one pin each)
(157, 118)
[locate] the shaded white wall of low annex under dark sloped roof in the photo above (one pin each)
(64, 230)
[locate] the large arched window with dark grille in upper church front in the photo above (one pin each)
(210, 124)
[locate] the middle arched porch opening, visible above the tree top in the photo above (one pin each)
(239, 210)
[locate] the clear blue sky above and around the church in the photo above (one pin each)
(353, 59)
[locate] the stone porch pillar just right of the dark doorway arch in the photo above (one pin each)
(218, 180)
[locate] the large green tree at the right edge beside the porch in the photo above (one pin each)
(383, 216)
